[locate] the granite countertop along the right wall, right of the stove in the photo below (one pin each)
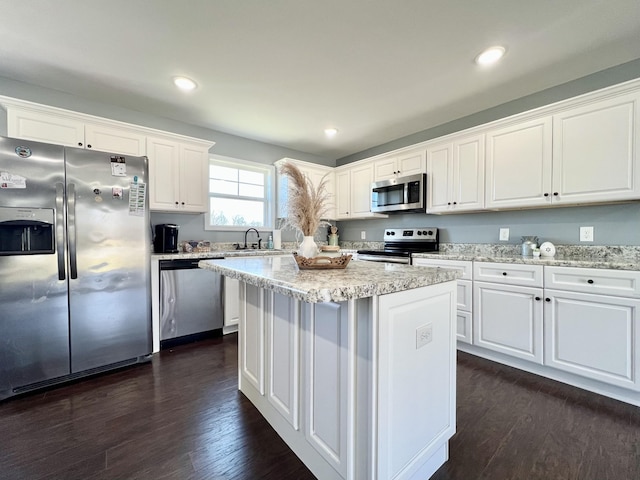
(613, 258)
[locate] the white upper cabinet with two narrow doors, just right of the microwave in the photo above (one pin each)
(455, 175)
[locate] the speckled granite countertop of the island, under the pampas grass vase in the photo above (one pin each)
(359, 280)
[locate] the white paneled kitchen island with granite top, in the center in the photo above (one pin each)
(354, 368)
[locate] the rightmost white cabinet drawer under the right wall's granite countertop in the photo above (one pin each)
(622, 283)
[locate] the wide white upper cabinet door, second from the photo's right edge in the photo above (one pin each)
(519, 165)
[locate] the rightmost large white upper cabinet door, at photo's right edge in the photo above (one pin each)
(595, 152)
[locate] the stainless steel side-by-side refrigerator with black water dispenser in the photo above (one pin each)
(74, 263)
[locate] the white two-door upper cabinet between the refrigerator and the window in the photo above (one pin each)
(178, 174)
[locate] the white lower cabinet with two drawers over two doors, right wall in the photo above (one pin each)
(577, 325)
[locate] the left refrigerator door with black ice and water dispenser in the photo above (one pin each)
(34, 328)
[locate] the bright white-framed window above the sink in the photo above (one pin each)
(240, 194)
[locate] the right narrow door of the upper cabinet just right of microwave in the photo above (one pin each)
(468, 173)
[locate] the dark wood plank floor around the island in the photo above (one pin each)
(181, 417)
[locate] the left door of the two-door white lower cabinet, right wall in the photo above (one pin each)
(508, 319)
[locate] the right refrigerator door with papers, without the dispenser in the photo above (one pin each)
(109, 258)
